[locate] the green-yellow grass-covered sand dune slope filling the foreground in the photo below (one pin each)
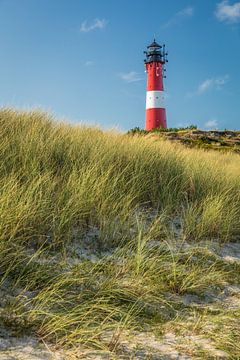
(103, 237)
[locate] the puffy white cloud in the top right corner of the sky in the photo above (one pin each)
(227, 12)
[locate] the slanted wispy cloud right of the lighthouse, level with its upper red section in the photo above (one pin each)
(214, 83)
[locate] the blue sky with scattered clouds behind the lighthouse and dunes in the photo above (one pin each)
(83, 60)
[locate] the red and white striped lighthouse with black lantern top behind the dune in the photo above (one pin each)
(156, 57)
